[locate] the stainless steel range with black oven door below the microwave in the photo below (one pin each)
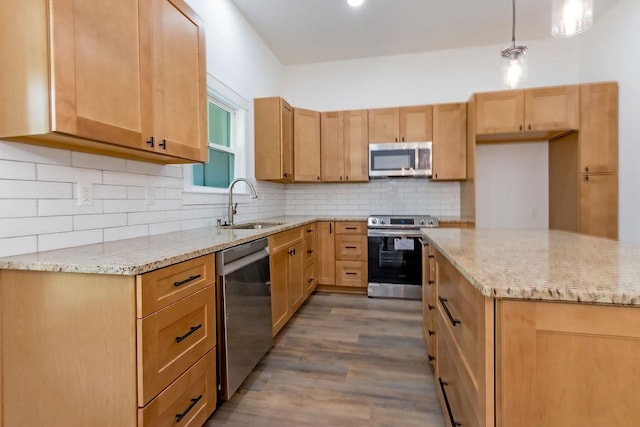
(395, 255)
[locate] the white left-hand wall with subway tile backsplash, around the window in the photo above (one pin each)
(38, 210)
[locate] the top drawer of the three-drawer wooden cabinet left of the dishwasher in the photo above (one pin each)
(160, 288)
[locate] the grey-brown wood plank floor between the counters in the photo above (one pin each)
(342, 360)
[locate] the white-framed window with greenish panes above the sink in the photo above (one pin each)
(219, 171)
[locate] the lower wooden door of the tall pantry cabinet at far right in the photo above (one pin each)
(599, 205)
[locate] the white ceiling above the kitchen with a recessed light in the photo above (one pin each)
(307, 31)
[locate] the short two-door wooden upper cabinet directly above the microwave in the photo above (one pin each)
(406, 124)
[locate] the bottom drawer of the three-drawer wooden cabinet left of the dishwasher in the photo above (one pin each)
(192, 398)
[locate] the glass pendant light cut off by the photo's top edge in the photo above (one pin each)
(571, 17)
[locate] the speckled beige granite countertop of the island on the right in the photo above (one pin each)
(543, 265)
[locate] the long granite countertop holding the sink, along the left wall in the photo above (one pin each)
(144, 254)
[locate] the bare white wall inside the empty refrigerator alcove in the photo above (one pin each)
(512, 185)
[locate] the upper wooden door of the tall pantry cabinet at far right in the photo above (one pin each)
(599, 128)
